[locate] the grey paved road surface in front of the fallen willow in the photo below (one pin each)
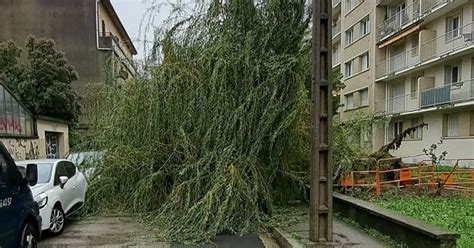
(116, 231)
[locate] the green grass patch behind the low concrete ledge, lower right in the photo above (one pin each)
(455, 214)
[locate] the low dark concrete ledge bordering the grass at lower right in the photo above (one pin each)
(401, 228)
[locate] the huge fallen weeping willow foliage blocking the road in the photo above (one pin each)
(212, 138)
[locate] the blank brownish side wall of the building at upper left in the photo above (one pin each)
(72, 24)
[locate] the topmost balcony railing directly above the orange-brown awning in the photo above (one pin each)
(396, 22)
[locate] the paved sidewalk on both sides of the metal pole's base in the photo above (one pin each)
(345, 235)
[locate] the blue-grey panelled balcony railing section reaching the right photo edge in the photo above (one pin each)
(449, 93)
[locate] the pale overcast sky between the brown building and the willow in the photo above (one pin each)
(131, 13)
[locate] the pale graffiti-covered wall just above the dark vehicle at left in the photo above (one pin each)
(22, 149)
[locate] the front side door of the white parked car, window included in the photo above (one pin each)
(66, 194)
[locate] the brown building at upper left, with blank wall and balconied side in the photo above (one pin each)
(89, 32)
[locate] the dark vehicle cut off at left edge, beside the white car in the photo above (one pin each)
(19, 214)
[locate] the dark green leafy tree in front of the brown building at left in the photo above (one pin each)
(42, 81)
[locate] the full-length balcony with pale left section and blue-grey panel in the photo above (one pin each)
(453, 93)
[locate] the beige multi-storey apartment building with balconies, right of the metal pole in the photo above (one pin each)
(412, 60)
